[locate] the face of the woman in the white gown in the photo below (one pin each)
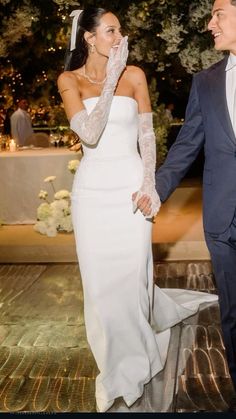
(108, 34)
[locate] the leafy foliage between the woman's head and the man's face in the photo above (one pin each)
(169, 39)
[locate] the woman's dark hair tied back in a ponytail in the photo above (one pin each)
(89, 20)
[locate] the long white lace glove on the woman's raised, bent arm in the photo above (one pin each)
(89, 127)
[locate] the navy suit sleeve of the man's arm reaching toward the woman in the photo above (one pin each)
(184, 150)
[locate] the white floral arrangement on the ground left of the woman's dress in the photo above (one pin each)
(55, 216)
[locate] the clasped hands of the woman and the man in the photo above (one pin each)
(148, 204)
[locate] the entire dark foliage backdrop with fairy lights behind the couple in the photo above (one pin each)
(167, 38)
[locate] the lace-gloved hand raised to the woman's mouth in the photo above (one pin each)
(117, 60)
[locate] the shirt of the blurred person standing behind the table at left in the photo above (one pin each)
(21, 126)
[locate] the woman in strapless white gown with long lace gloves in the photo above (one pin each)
(127, 318)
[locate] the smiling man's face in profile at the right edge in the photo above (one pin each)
(223, 25)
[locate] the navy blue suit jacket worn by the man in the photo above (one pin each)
(207, 123)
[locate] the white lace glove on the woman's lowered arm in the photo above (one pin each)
(147, 146)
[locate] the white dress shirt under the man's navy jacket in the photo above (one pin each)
(231, 88)
